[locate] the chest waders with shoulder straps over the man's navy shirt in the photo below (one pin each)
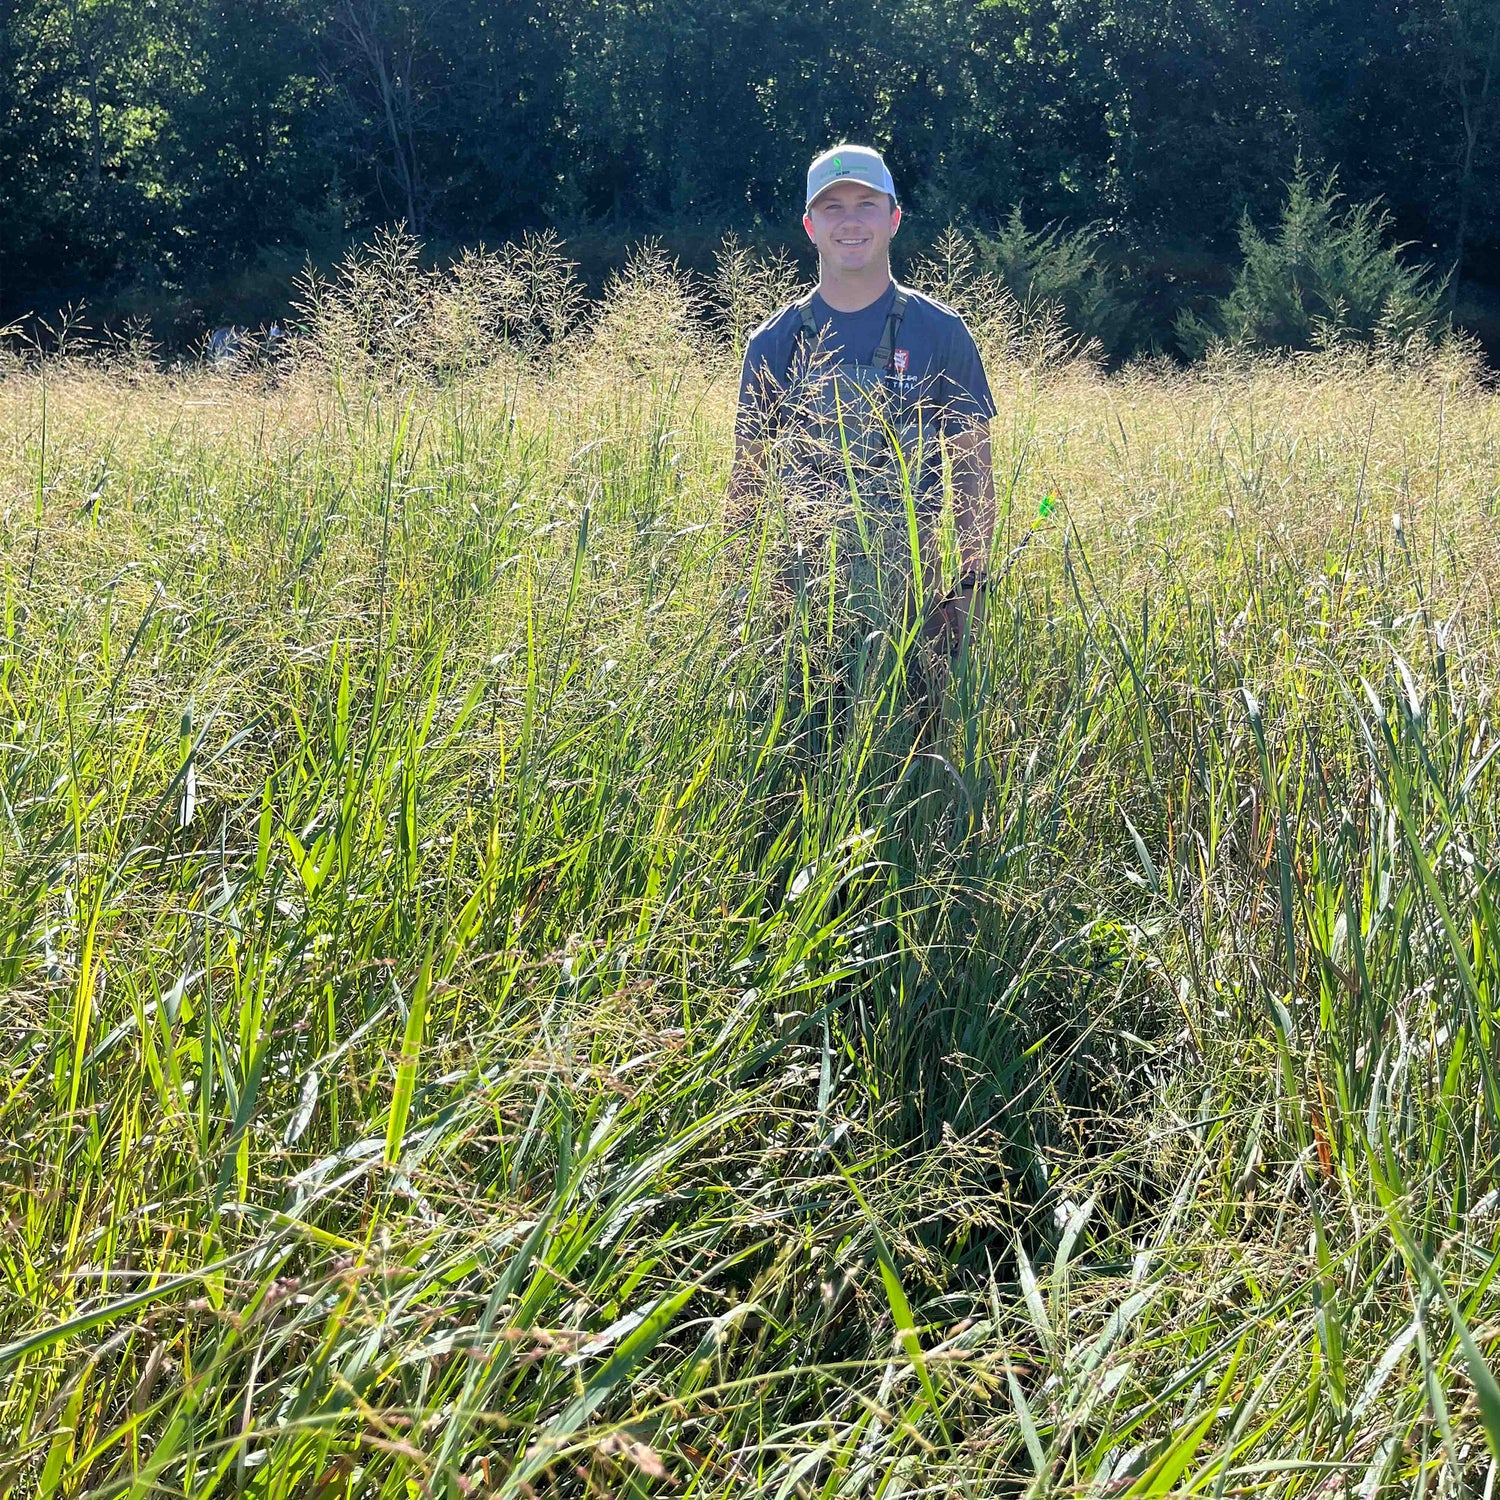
(859, 463)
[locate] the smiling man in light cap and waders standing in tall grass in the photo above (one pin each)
(851, 397)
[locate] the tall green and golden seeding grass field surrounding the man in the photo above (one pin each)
(490, 1012)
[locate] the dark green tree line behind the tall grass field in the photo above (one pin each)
(151, 145)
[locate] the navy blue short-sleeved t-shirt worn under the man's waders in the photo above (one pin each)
(943, 362)
